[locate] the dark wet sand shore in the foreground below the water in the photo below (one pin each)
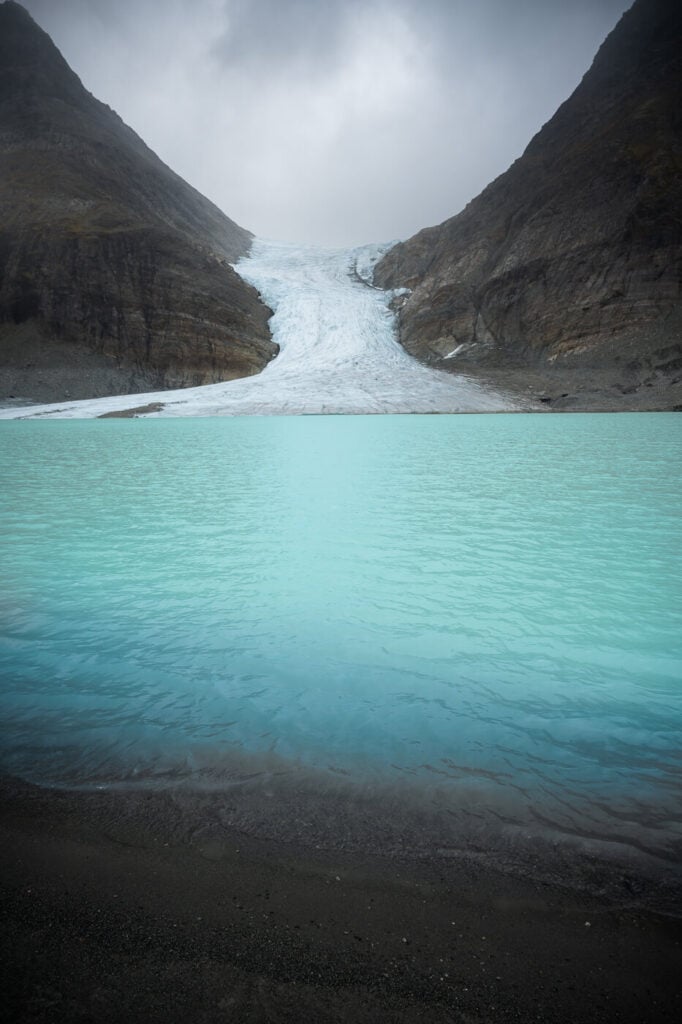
(123, 907)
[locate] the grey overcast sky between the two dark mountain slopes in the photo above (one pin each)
(333, 121)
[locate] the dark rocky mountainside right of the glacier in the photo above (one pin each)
(570, 265)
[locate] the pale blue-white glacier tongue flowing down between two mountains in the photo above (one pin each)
(338, 353)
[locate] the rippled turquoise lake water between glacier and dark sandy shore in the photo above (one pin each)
(485, 607)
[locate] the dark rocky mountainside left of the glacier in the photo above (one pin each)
(114, 272)
